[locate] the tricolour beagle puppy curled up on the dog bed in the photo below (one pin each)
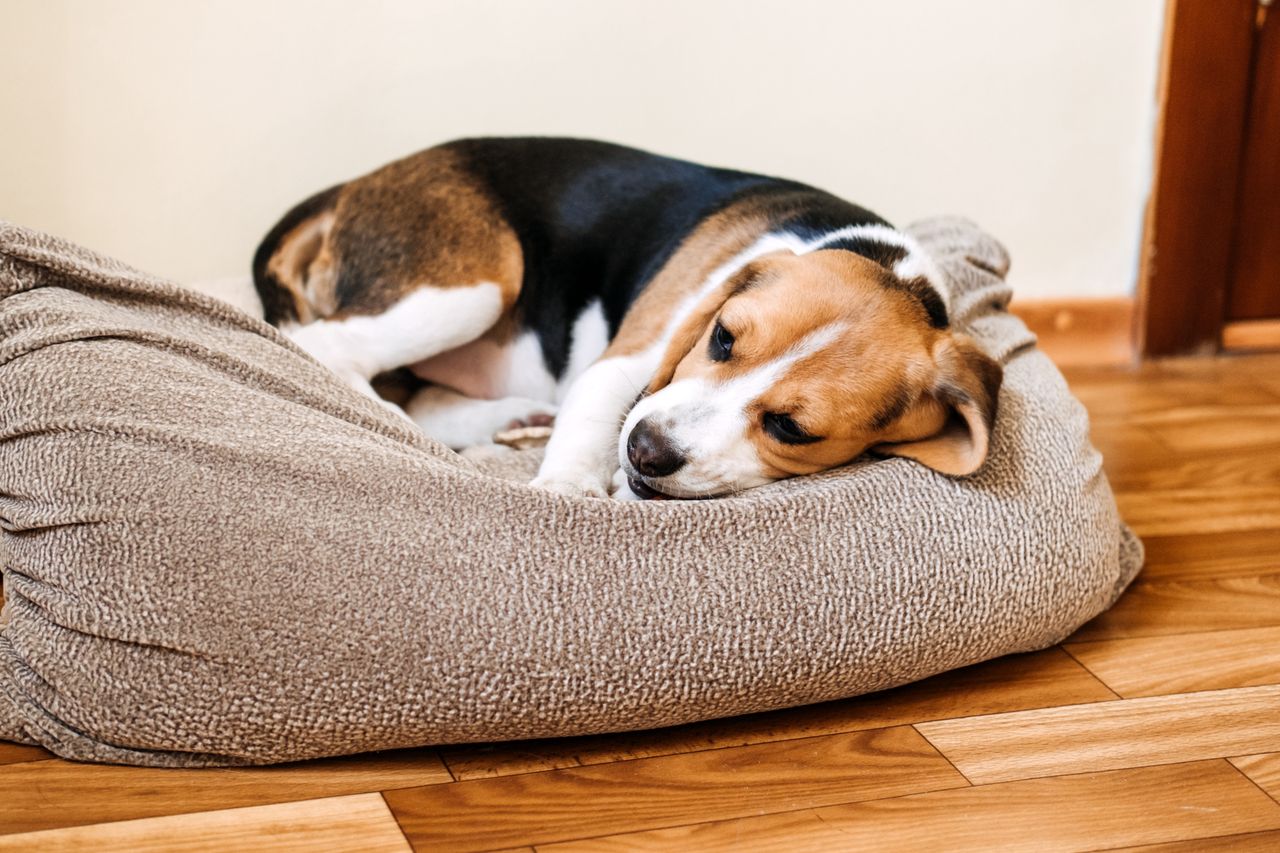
(694, 331)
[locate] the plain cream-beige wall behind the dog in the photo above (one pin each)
(173, 133)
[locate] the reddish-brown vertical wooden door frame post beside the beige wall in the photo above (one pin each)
(1187, 247)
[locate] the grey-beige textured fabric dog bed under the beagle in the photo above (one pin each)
(218, 554)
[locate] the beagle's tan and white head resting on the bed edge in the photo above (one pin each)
(801, 363)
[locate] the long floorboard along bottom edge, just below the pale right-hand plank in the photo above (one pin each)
(1063, 814)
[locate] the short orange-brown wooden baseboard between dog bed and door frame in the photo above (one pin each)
(1082, 334)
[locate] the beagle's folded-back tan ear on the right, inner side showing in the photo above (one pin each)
(968, 387)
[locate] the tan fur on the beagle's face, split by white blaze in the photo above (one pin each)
(879, 354)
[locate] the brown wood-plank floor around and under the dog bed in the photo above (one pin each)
(1156, 727)
